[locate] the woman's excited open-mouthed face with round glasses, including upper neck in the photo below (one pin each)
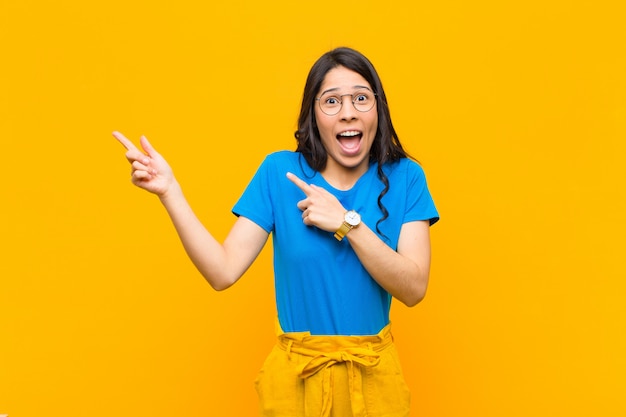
(348, 135)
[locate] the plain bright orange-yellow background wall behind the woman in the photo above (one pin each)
(517, 112)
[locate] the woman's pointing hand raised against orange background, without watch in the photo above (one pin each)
(149, 170)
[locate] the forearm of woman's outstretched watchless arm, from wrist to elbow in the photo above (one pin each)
(206, 253)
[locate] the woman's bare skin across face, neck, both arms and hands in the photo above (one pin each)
(404, 274)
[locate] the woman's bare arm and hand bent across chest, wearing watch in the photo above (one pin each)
(404, 274)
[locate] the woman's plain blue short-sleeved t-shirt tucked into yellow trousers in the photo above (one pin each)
(321, 286)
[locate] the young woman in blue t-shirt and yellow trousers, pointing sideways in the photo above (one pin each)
(349, 214)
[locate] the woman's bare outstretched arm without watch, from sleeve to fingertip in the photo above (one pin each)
(220, 264)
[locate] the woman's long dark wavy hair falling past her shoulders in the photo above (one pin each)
(386, 147)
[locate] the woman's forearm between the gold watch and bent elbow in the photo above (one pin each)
(404, 278)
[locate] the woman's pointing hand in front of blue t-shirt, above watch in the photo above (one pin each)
(320, 208)
